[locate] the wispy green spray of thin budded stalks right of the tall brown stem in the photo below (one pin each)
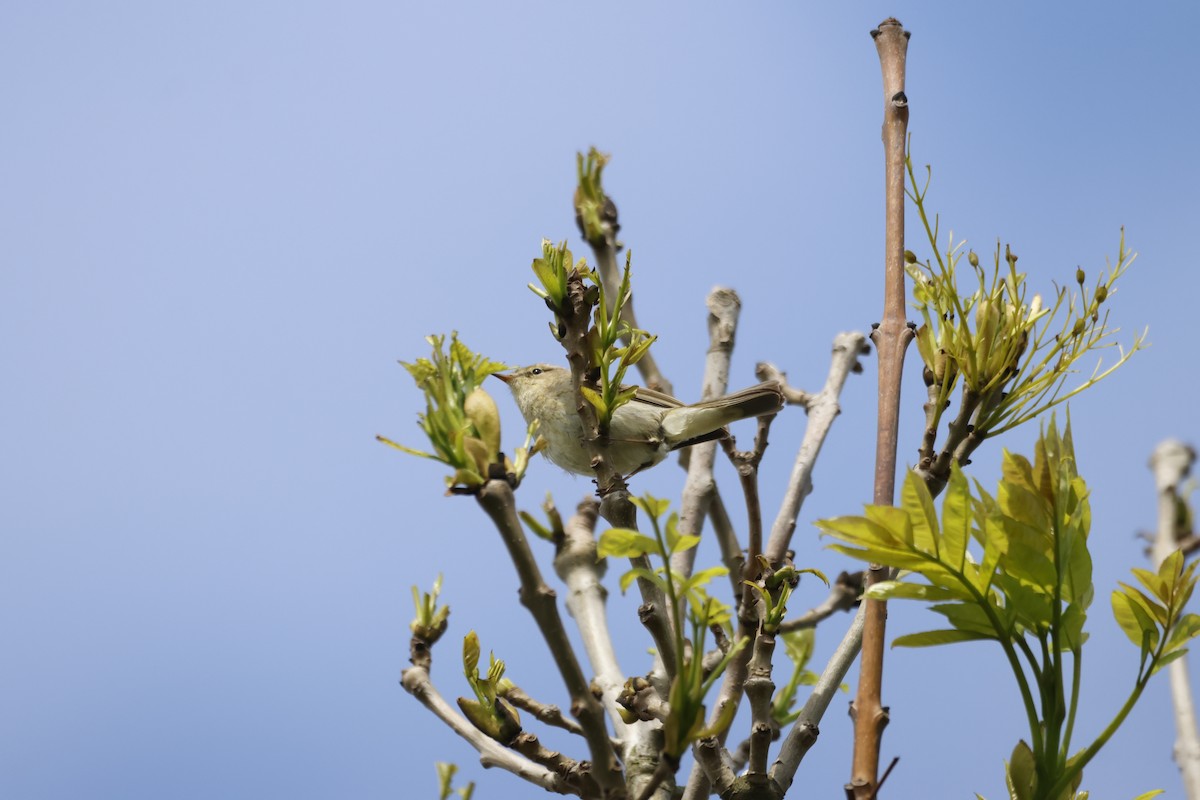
(1011, 353)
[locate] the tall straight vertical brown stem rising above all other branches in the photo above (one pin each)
(891, 338)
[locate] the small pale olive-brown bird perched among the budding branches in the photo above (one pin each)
(643, 431)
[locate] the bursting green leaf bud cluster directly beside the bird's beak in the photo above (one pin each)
(461, 419)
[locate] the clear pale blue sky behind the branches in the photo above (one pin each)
(223, 224)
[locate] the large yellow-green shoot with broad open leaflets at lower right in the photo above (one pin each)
(1028, 586)
